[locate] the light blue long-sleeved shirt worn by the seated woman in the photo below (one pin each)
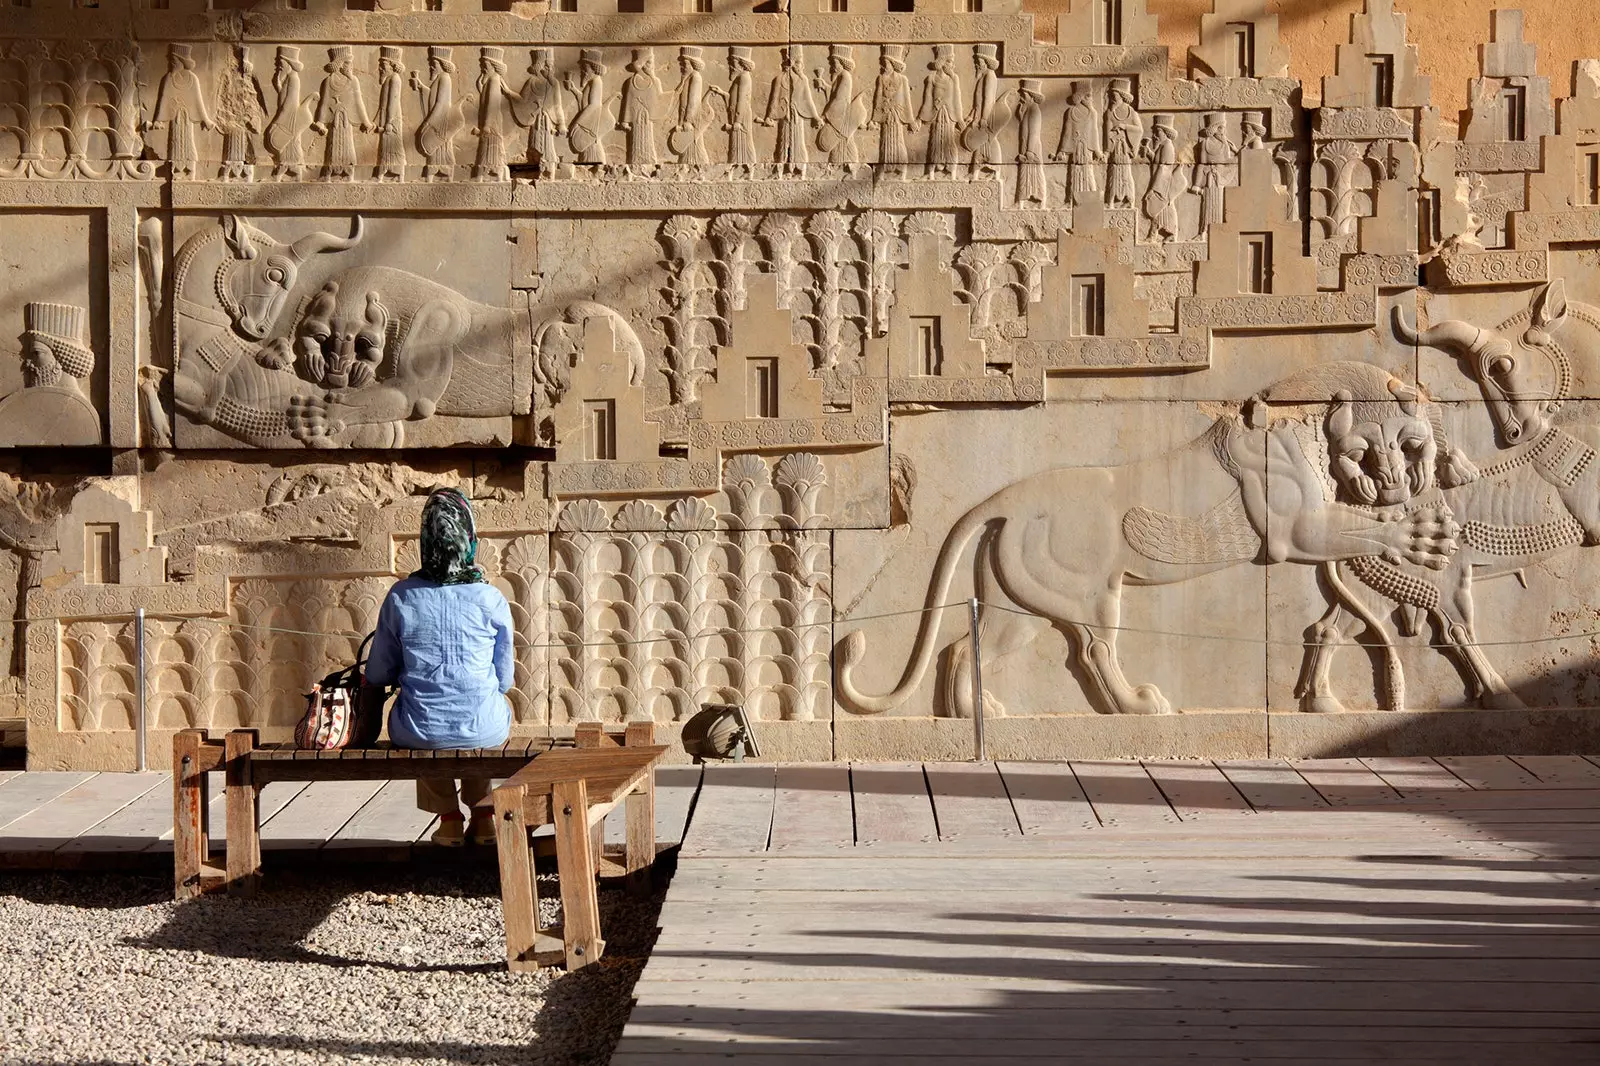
(450, 651)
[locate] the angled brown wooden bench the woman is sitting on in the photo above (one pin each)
(570, 785)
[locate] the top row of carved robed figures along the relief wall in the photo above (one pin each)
(458, 114)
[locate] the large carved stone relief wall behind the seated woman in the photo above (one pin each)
(756, 332)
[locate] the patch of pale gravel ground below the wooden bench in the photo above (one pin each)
(374, 966)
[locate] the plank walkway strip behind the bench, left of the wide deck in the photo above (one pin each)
(126, 820)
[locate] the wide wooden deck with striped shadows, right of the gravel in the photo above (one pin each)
(1266, 912)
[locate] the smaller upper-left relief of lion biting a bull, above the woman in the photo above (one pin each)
(367, 358)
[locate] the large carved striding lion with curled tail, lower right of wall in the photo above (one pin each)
(1057, 550)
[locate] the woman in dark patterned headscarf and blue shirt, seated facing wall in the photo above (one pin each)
(446, 638)
